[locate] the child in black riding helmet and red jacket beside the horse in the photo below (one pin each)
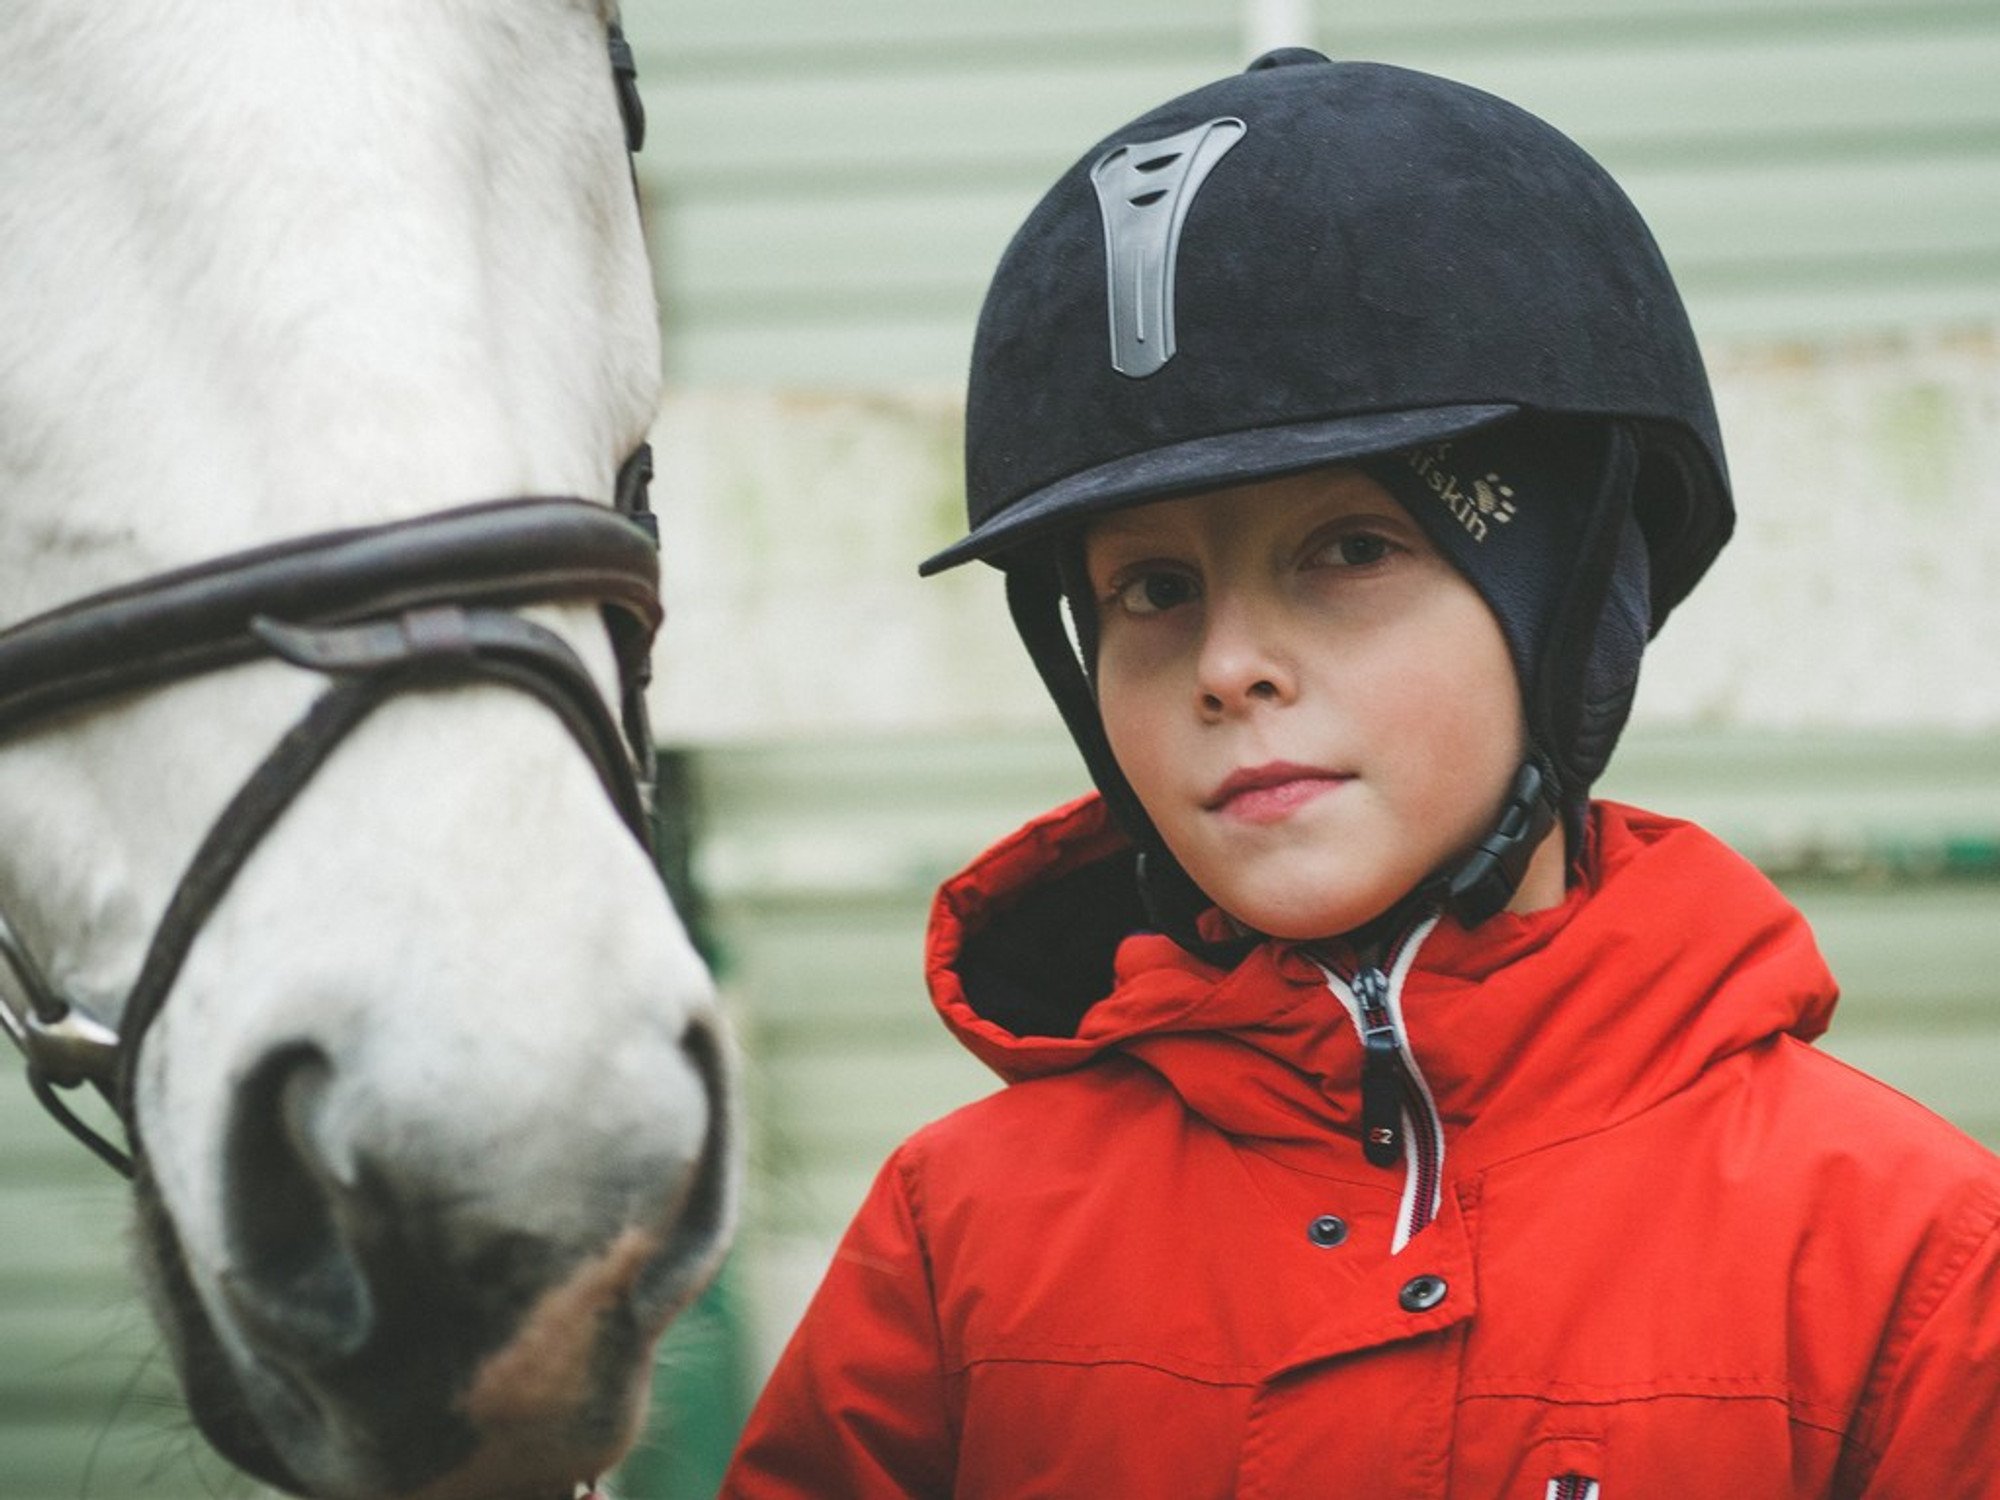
(1385, 1117)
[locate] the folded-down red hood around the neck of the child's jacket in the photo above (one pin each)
(1669, 955)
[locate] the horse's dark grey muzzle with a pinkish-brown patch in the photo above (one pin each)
(379, 1337)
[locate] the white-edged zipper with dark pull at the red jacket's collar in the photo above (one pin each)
(1399, 1117)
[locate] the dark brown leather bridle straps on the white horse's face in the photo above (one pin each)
(383, 611)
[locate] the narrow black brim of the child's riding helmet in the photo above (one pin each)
(1205, 465)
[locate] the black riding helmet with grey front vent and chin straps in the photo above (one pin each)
(1341, 263)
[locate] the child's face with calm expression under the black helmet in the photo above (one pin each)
(1313, 705)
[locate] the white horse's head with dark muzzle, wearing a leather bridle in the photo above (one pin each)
(427, 1095)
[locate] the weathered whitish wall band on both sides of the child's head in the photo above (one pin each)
(1859, 591)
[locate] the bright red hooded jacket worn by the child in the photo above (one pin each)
(1639, 1239)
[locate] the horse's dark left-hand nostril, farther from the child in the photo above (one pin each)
(293, 1275)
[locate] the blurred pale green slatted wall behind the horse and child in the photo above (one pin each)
(827, 191)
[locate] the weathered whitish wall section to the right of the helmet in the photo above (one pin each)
(1861, 587)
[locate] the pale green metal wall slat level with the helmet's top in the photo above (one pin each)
(999, 121)
